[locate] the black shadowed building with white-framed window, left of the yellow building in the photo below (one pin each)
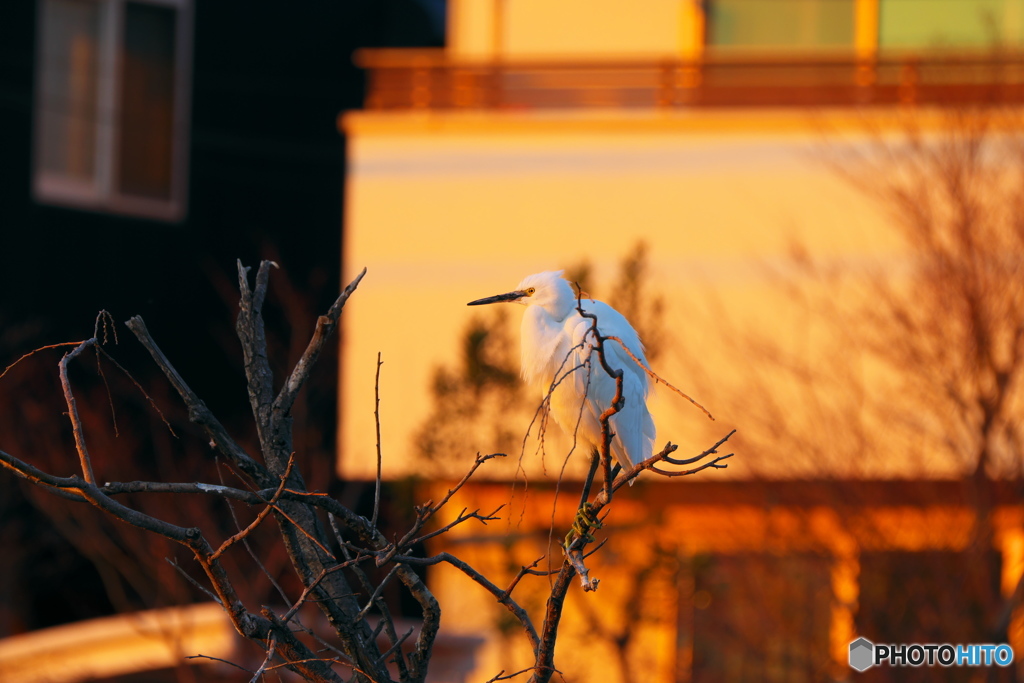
(146, 148)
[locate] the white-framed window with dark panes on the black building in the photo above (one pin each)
(112, 94)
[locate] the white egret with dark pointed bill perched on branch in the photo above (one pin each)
(560, 357)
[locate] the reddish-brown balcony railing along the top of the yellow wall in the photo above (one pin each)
(412, 79)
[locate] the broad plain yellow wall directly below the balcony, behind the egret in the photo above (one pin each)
(446, 208)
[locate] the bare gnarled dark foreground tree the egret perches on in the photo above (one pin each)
(272, 481)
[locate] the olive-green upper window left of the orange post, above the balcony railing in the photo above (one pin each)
(781, 25)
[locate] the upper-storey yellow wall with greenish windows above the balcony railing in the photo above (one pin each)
(531, 30)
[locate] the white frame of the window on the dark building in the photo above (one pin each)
(102, 193)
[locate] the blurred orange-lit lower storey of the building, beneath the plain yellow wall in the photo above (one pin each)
(707, 581)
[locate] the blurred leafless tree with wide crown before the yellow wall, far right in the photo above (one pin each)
(914, 361)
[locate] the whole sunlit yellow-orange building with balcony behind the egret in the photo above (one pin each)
(447, 206)
